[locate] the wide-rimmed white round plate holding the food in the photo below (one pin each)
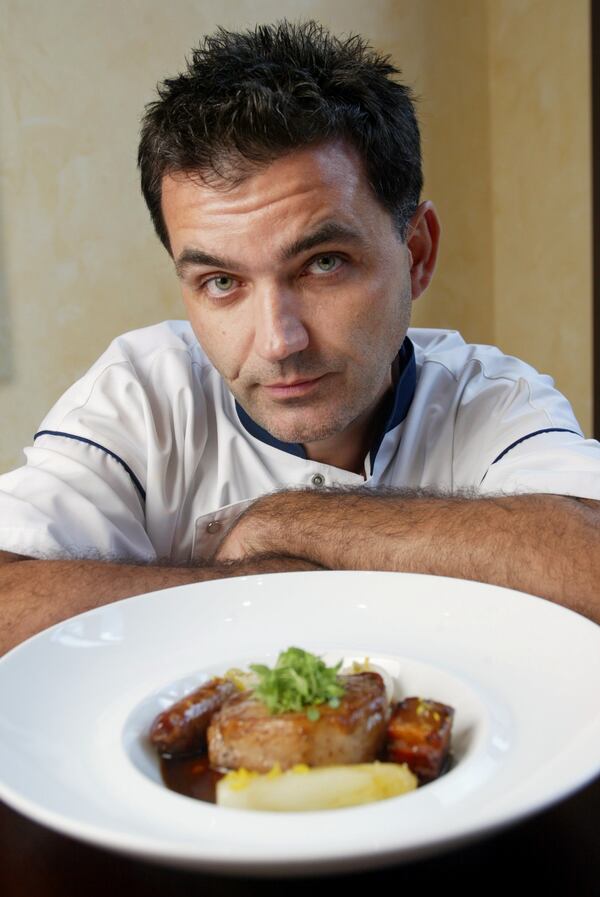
(76, 701)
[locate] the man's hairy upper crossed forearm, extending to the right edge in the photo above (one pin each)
(547, 545)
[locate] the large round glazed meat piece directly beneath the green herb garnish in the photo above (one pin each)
(244, 734)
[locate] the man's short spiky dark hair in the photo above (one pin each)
(248, 98)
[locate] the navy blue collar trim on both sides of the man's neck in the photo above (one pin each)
(393, 414)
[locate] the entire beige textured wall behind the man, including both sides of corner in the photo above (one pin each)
(506, 143)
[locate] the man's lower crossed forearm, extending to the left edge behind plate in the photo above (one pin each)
(35, 594)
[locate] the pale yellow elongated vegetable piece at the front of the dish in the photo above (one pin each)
(323, 788)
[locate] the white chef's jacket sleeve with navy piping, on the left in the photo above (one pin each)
(82, 491)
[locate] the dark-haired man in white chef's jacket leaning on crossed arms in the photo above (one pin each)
(283, 175)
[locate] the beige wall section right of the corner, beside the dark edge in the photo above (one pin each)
(541, 189)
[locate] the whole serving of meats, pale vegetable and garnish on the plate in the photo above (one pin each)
(301, 736)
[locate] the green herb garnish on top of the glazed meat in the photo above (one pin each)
(298, 680)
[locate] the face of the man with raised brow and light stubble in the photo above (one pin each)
(298, 288)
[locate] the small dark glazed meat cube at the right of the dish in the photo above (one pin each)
(418, 734)
